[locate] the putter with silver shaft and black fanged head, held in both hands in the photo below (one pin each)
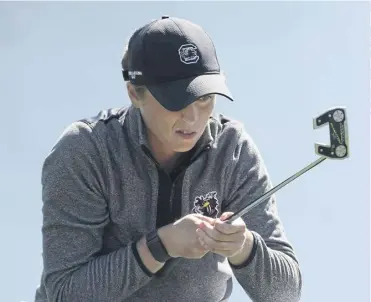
(338, 148)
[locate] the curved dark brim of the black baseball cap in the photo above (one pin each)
(176, 95)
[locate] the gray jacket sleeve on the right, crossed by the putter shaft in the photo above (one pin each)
(272, 272)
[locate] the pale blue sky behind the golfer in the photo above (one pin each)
(285, 62)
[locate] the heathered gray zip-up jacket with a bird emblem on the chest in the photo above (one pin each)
(102, 191)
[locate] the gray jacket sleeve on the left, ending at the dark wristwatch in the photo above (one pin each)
(75, 214)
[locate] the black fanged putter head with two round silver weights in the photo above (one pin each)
(337, 121)
